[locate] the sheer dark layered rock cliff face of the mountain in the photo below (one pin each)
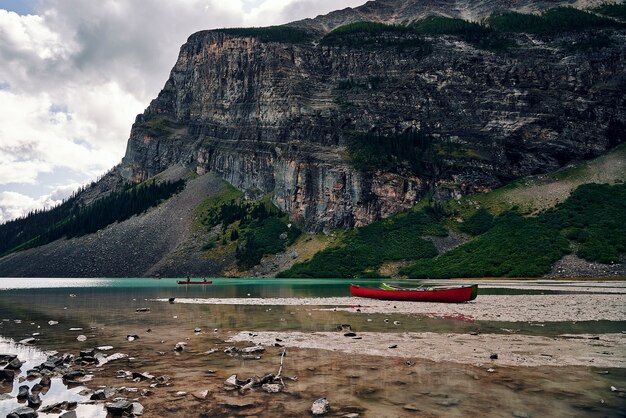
(275, 117)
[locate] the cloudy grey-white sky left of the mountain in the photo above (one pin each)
(75, 73)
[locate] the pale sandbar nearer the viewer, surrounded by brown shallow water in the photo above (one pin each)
(605, 350)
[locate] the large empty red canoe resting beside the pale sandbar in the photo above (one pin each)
(450, 295)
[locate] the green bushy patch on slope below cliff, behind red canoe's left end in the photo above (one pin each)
(364, 250)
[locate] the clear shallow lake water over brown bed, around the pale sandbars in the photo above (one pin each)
(105, 312)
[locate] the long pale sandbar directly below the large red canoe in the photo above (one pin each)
(507, 308)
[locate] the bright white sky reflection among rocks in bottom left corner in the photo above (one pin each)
(57, 392)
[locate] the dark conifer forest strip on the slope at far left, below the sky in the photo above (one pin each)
(71, 220)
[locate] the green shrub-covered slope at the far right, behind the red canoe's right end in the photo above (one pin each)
(594, 218)
